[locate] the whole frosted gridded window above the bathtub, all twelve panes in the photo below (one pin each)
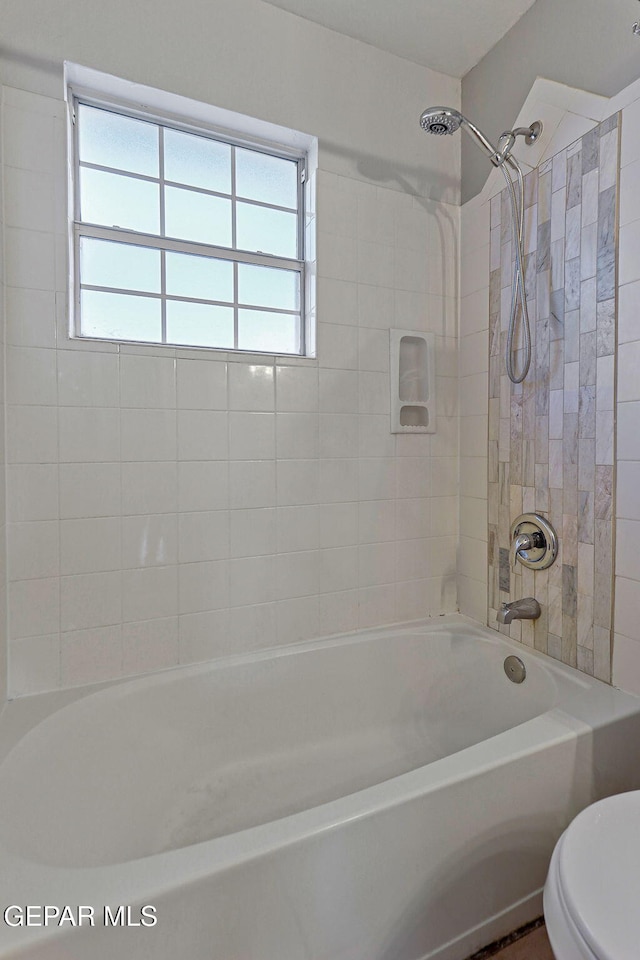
(184, 237)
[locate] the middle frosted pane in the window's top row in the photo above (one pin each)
(198, 161)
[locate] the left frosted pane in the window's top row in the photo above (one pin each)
(111, 140)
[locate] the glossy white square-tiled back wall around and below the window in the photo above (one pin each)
(169, 506)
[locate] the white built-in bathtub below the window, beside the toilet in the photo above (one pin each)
(388, 796)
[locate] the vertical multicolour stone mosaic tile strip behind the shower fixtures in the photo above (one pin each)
(551, 438)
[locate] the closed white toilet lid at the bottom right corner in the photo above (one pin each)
(599, 875)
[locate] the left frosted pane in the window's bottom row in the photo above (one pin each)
(117, 316)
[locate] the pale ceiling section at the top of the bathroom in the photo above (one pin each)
(447, 35)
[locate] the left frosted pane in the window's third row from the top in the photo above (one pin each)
(104, 263)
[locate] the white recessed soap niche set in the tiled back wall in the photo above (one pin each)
(412, 382)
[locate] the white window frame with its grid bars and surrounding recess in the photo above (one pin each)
(202, 120)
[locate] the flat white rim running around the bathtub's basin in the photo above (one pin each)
(148, 878)
